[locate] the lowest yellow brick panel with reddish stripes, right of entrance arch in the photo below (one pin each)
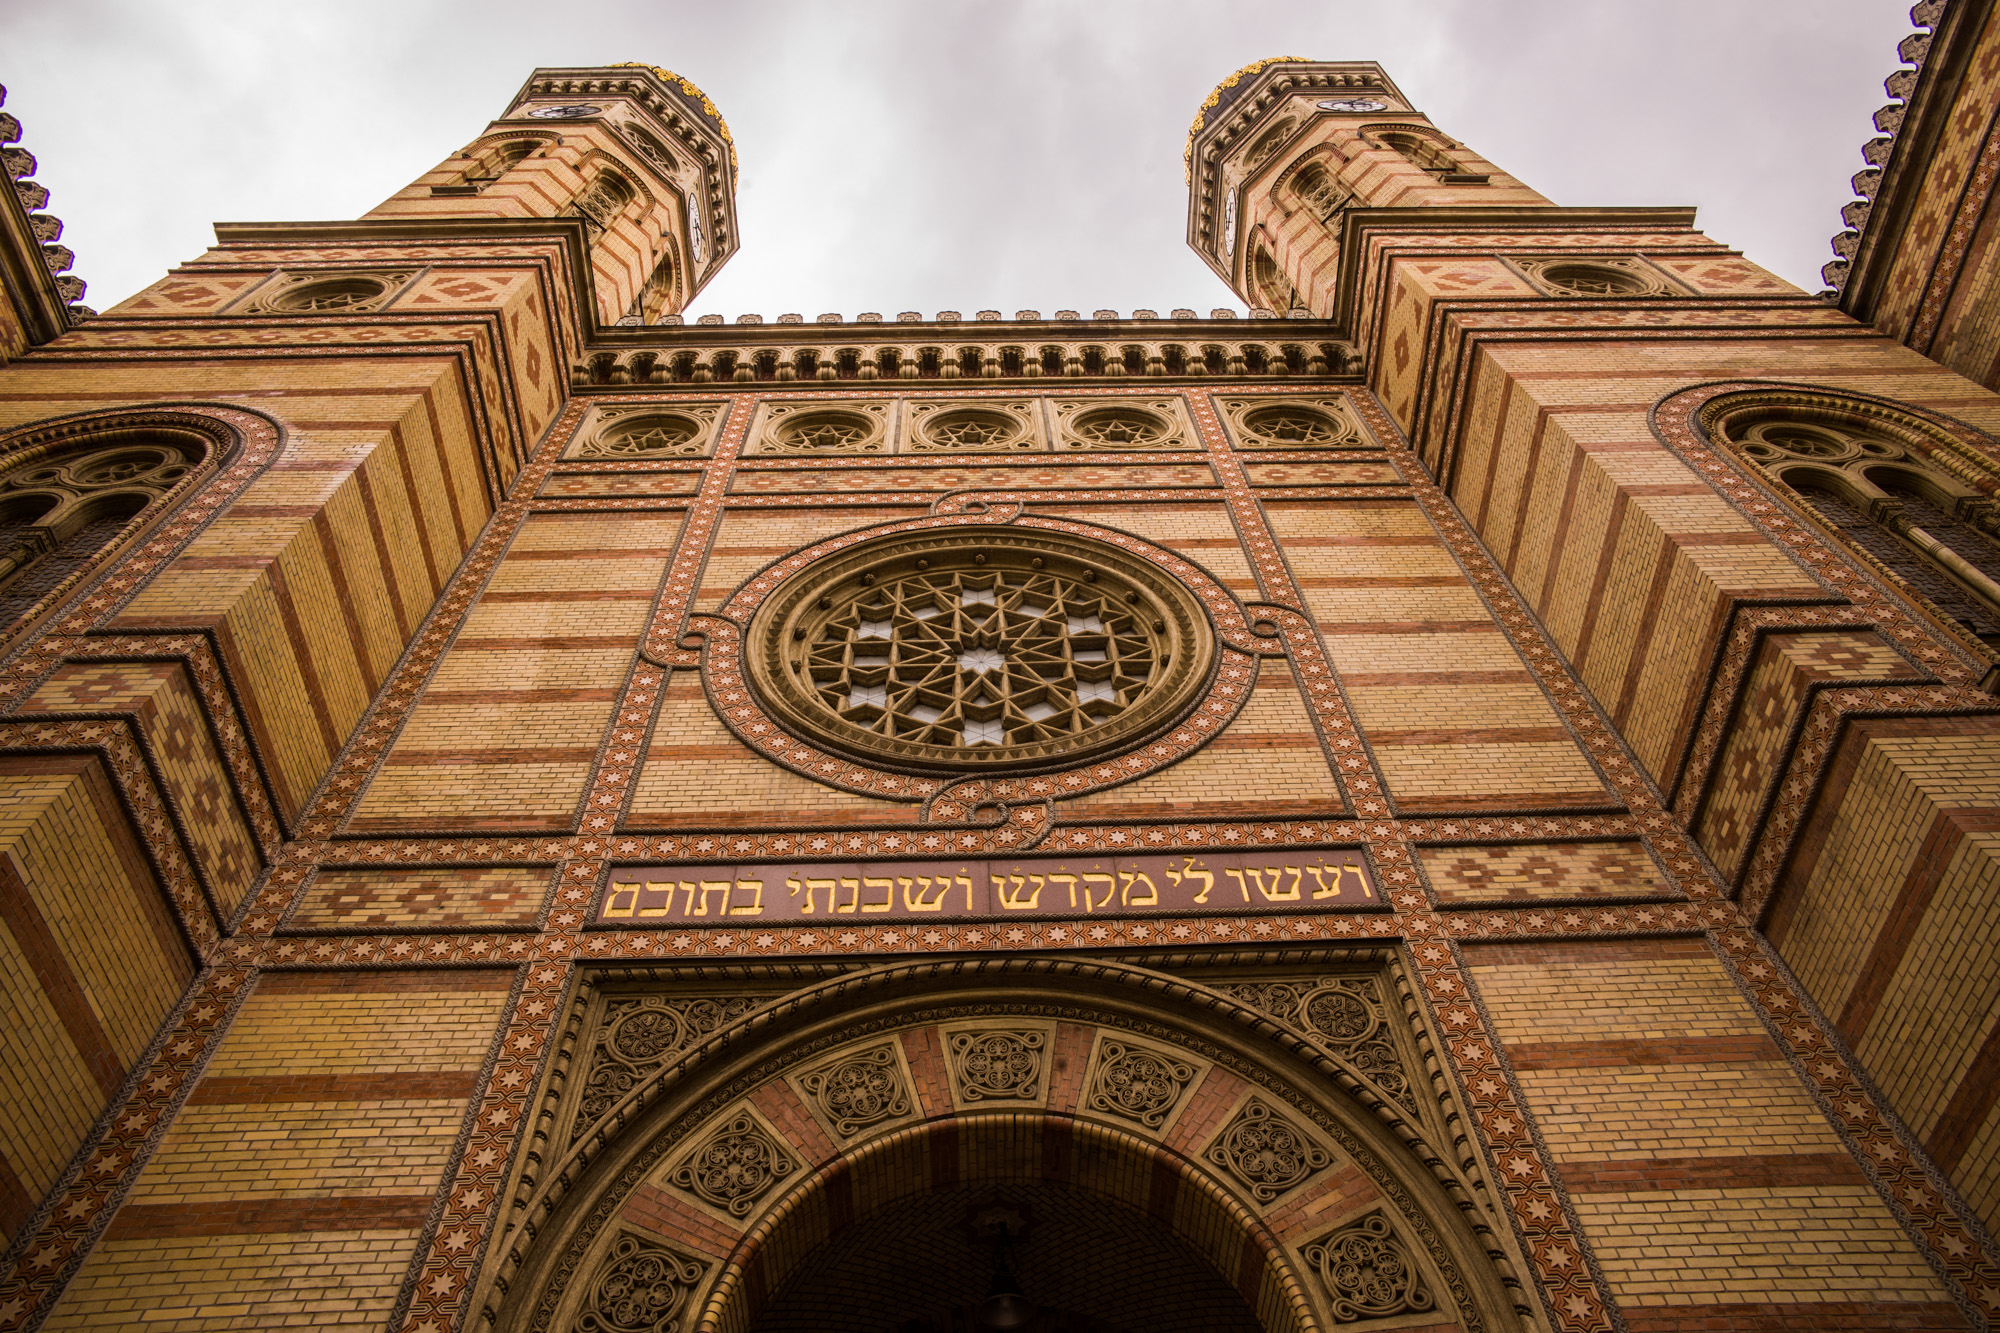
(1707, 1182)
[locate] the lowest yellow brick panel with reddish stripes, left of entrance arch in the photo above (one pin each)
(303, 1168)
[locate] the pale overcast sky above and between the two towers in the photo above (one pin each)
(923, 155)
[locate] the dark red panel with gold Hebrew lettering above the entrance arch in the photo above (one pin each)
(1209, 884)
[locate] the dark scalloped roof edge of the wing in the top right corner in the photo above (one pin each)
(1889, 187)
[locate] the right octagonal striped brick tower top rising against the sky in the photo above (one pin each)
(1285, 149)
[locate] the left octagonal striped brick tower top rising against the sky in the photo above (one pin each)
(639, 153)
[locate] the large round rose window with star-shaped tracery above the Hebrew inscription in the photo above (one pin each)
(985, 649)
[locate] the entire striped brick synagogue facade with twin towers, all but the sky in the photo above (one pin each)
(1467, 798)
